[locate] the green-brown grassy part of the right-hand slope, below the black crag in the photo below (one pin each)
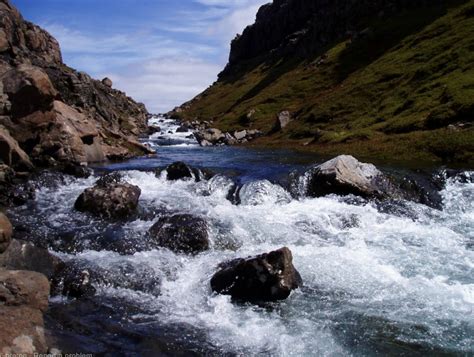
(403, 91)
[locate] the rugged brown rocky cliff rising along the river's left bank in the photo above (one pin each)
(51, 114)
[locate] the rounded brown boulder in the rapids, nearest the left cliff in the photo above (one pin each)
(116, 201)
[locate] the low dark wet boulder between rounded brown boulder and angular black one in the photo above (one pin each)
(181, 233)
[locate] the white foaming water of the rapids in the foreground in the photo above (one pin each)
(374, 282)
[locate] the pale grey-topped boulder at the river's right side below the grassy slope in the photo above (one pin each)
(346, 175)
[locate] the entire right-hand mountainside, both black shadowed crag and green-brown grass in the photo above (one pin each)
(387, 79)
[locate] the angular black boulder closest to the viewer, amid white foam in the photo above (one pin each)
(267, 277)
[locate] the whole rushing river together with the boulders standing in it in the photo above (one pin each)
(231, 251)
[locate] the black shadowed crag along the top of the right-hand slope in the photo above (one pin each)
(302, 26)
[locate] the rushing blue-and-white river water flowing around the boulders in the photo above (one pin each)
(376, 282)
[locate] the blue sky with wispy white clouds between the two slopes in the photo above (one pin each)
(160, 52)
